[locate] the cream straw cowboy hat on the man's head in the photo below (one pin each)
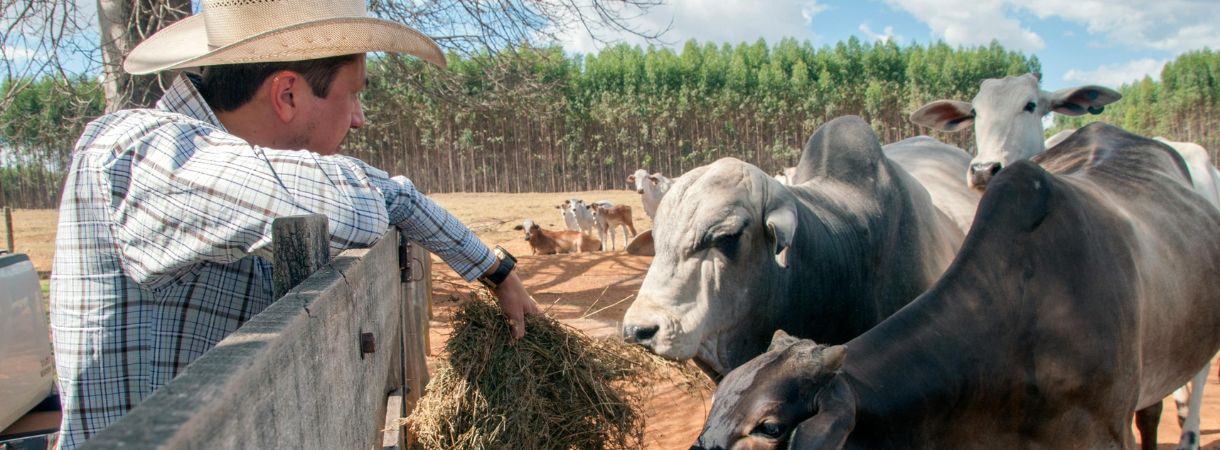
(267, 31)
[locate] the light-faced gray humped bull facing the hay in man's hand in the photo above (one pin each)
(741, 255)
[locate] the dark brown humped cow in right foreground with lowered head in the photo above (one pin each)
(1049, 330)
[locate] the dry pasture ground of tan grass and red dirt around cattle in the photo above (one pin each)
(591, 292)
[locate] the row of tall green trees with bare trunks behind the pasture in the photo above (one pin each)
(540, 120)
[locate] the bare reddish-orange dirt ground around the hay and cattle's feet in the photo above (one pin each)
(570, 287)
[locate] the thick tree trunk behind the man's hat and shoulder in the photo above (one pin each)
(125, 24)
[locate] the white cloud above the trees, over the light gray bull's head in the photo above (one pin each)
(723, 21)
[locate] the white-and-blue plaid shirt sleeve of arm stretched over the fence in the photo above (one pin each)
(198, 195)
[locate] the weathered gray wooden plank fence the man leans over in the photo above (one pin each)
(312, 371)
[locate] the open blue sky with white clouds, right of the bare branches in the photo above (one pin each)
(1079, 42)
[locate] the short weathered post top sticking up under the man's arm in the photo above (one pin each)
(302, 247)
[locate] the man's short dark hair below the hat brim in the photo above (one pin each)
(229, 87)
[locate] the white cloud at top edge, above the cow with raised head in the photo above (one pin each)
(973, 23)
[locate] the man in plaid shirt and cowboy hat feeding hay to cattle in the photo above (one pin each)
(167, 215)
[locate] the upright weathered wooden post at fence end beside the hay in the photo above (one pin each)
(415, 264)
